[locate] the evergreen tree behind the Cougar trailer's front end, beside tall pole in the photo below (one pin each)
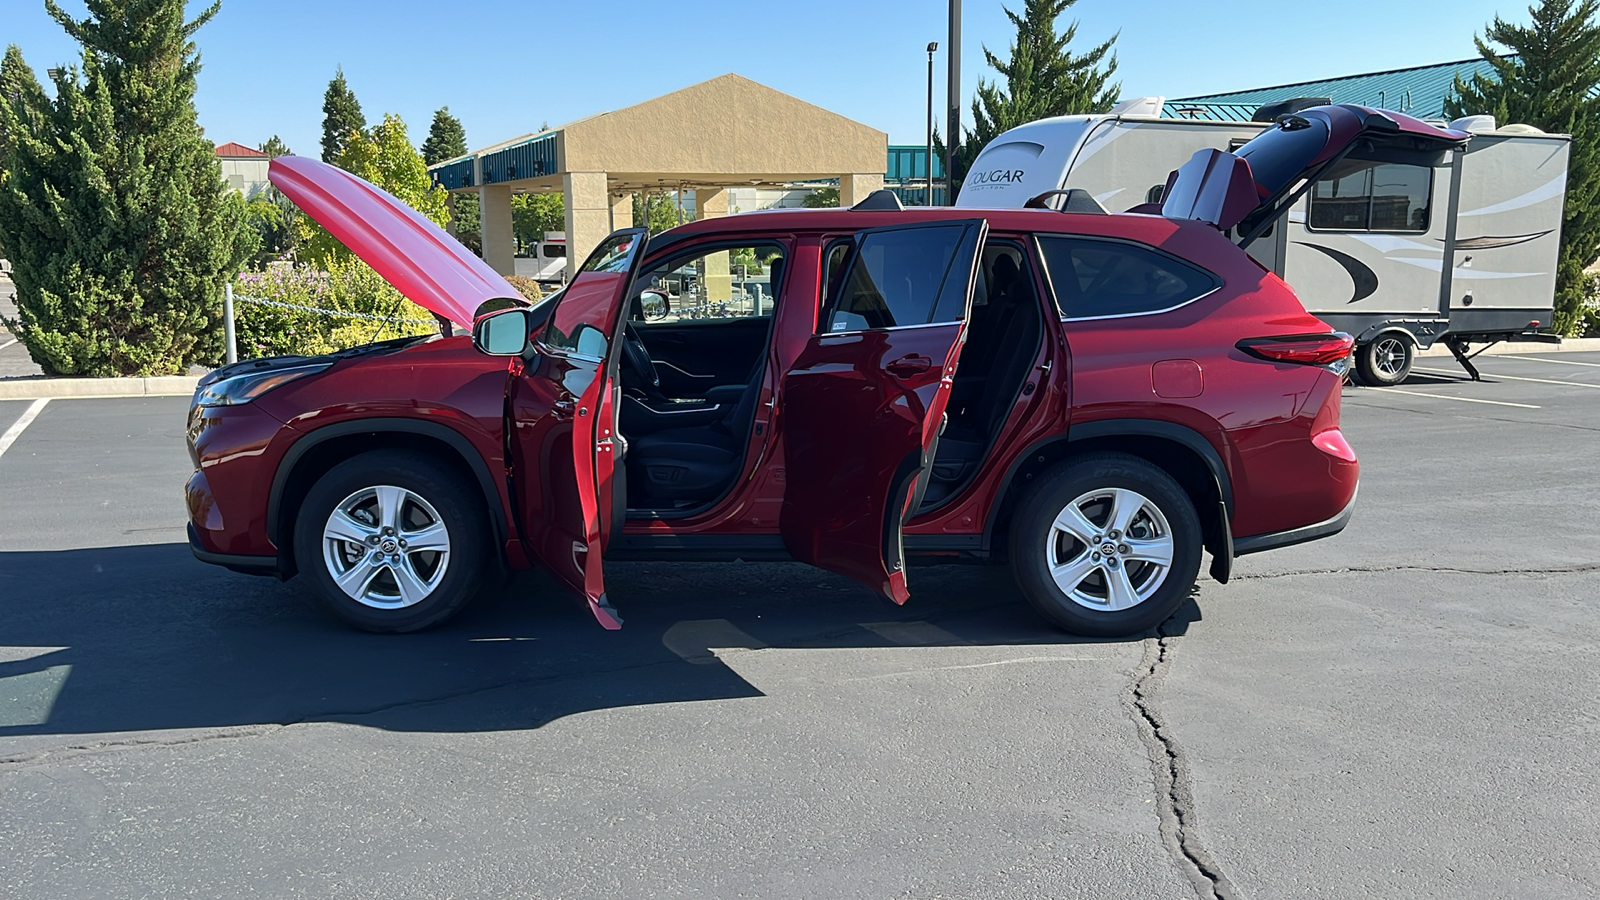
(1042, 79)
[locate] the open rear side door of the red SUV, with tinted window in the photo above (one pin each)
(863, 404)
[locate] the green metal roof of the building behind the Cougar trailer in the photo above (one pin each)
(1417, 92)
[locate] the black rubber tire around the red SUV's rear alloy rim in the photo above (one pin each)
(1036, 545)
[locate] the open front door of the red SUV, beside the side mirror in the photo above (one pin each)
(564, 444)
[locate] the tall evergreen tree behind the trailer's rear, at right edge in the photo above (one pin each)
(1551, 84)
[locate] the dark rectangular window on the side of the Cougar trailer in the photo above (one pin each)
(1385, 199)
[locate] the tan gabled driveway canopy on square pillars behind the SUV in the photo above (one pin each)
(729, 132)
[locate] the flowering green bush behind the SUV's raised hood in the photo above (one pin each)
(295, 310)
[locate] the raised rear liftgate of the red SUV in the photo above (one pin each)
(1263, 179)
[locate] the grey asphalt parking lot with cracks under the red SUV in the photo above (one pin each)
(1407, 710)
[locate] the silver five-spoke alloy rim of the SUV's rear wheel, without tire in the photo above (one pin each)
(1110, 550)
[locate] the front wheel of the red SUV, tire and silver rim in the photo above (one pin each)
(393, 542)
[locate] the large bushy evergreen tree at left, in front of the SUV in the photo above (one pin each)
(114, 212)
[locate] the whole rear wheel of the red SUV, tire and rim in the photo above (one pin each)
(1106, 545)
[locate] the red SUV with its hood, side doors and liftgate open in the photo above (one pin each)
(1092, 398)
